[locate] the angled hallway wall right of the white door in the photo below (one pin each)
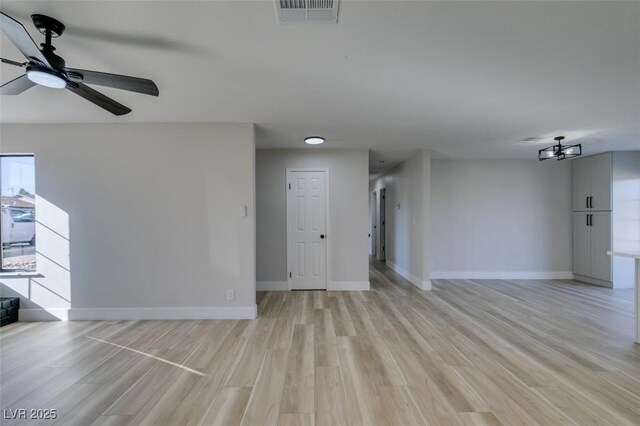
(407, 217)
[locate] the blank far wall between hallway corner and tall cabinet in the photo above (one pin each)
(501, 219)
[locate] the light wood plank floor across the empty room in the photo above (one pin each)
(469, 352)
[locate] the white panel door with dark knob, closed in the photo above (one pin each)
(307, 224)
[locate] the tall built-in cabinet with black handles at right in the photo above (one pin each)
(606, 216)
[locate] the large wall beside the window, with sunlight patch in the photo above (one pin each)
(135, 216)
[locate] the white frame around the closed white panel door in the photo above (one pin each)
(289, 215)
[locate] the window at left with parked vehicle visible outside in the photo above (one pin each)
(18, 205)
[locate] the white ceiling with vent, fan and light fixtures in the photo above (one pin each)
(466, 79)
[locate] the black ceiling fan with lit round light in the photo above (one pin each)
(45, 68)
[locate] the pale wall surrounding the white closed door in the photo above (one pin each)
(348, 210)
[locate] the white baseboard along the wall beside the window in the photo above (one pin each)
(114, 314)
